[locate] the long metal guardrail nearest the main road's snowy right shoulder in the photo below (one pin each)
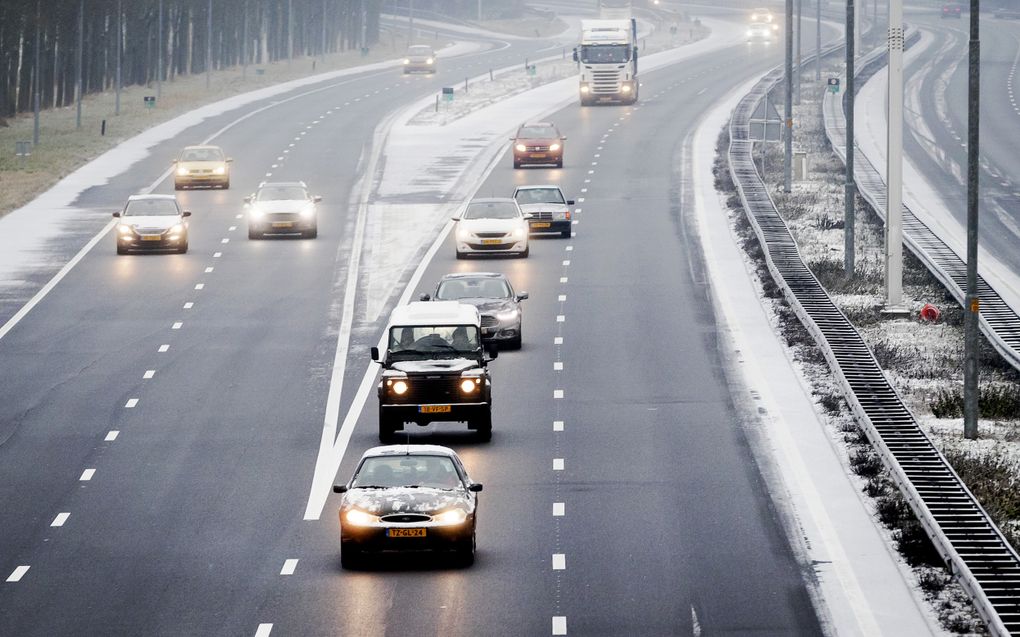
(975, 550)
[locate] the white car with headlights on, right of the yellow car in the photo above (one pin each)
(282, 208)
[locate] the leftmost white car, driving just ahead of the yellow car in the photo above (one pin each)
(152, 223)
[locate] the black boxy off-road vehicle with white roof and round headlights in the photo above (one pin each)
(435, 368)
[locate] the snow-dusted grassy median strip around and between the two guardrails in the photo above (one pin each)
(923, 360)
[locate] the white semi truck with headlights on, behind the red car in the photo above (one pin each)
(607, 59)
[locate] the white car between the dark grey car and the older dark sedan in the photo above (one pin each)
(492, 227)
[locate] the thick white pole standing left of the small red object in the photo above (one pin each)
(894, 170)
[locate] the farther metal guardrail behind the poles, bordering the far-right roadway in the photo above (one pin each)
(999, 322)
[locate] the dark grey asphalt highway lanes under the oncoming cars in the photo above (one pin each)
(173, 406)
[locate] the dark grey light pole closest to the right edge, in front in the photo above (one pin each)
(972, 312)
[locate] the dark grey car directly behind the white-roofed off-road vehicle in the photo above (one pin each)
(495, 298)
